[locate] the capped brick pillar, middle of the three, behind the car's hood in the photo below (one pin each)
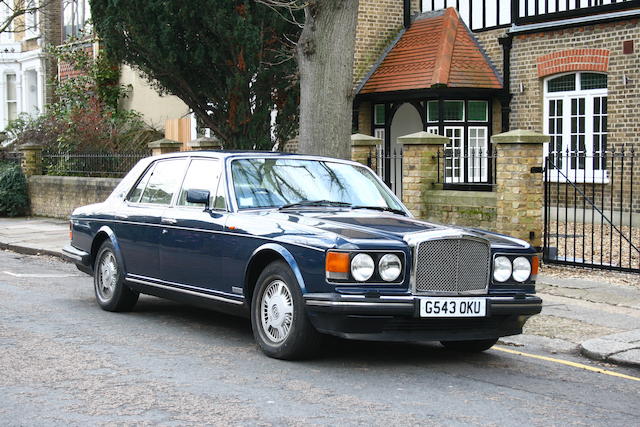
(419, 168)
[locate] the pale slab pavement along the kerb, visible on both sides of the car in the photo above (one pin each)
(598, 319)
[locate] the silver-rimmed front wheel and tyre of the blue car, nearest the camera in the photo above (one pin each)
(278, 318)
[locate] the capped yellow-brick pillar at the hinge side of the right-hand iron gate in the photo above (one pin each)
(519, 184)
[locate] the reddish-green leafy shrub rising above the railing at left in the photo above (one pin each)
(85, 116)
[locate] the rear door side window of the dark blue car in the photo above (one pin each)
(164, 182)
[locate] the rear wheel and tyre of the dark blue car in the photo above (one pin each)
(112, 294)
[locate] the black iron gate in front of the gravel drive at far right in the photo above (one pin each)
(592, 210)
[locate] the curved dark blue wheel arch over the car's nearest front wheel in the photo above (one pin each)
(263, 256)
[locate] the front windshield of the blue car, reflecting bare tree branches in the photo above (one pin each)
(289, 182)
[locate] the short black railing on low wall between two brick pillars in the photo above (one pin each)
(473, 169)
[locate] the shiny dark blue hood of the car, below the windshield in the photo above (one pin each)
(360, 226)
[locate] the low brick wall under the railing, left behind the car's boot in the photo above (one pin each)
(58, 196)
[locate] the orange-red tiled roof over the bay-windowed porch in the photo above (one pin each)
(437, 49)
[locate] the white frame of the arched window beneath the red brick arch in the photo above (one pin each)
(565, 172)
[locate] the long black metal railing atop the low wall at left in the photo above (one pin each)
(113, 165)
